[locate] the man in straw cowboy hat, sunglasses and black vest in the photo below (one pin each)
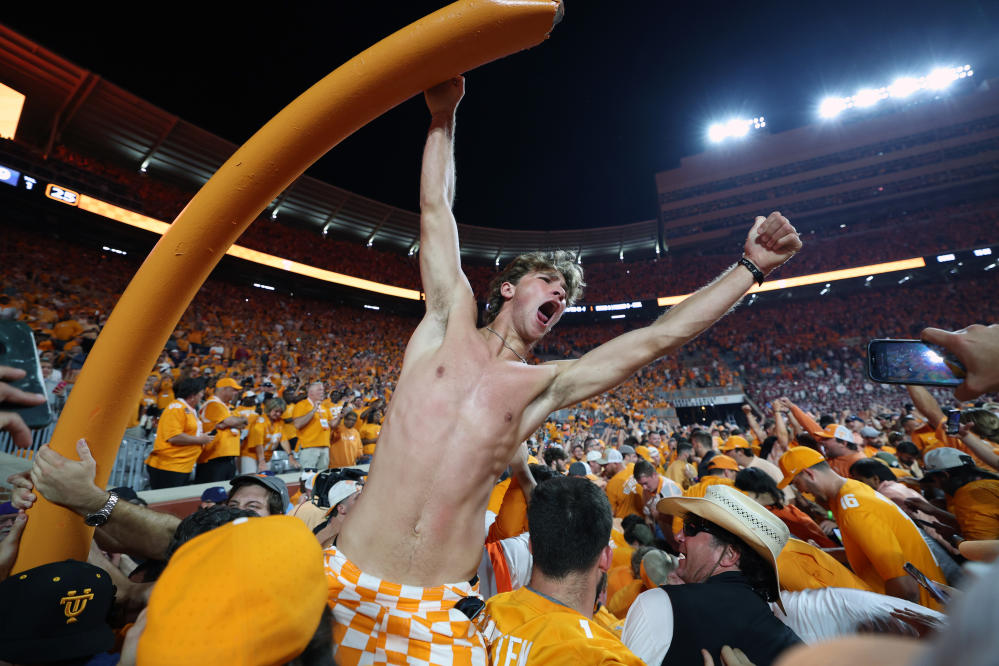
(730, 546)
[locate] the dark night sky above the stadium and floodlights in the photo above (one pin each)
(566, 135)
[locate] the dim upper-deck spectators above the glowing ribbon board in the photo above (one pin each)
(866, 240)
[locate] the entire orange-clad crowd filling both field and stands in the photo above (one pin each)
(623, 543)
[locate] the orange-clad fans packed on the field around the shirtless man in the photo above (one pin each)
(803, 524)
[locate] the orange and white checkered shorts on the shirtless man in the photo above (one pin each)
(377, 622)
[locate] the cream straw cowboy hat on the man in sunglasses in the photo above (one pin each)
(730, 509)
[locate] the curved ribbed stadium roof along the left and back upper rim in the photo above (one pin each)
(67, 104)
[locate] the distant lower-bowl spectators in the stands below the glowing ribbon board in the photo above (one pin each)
(801, 351)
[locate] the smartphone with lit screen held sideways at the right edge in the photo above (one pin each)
(912, 362)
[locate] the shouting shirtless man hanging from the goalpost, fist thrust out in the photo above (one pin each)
(466, 398)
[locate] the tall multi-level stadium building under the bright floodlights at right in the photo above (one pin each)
(942, 149)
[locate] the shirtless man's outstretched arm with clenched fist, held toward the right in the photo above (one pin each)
(770, 243)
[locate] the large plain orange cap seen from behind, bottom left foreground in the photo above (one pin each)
(250, 592)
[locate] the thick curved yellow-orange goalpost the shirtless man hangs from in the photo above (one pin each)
(452, 40)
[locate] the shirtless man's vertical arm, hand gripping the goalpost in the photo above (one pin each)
(440, 267)
